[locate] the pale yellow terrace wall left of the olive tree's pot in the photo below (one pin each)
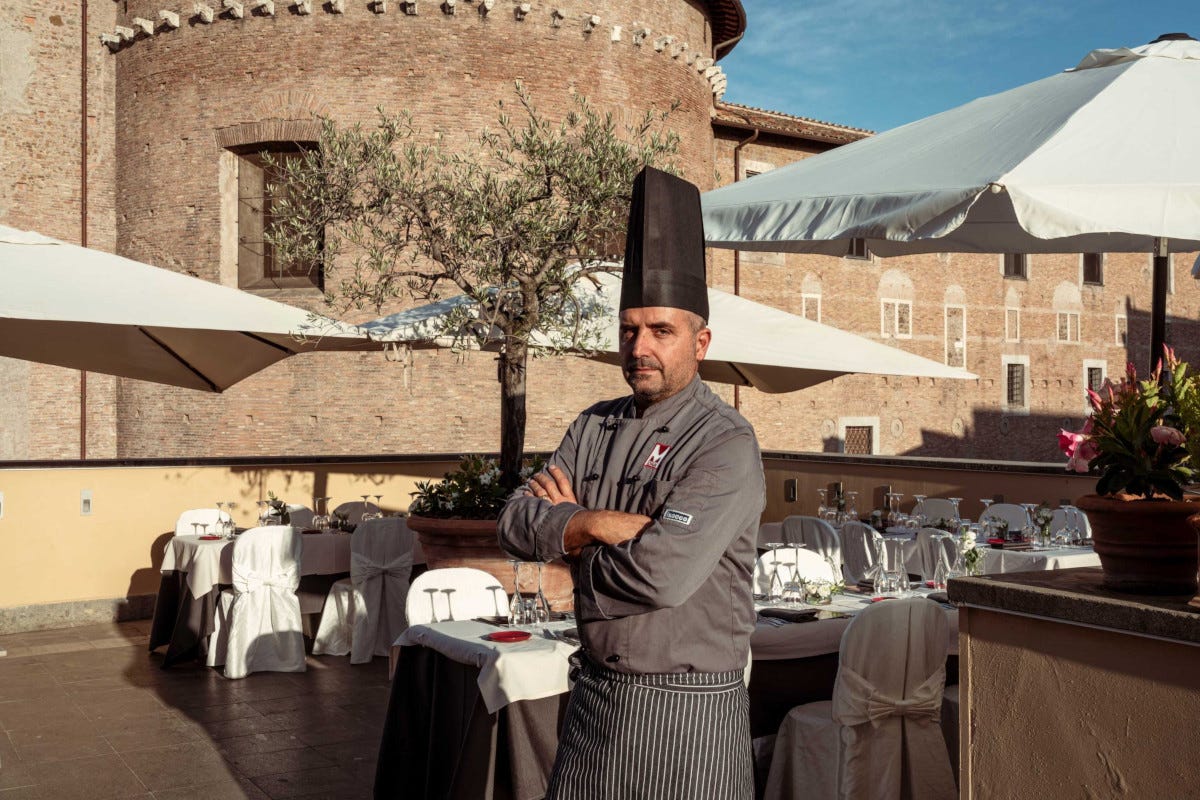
(51, 554)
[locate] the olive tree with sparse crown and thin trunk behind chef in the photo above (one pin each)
(514, 222)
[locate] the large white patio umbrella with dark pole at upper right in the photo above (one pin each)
(1099, 159)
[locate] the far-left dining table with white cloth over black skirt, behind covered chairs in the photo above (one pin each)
(196, 569)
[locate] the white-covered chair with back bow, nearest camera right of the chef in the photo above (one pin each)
(880, 737)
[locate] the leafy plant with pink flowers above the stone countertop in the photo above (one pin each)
(1143, 438)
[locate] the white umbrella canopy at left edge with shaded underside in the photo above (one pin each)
(88, 310)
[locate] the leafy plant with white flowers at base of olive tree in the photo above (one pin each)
(472, 492)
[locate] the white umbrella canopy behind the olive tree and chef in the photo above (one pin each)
(753, 345)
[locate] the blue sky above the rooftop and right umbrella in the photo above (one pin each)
(879, 64)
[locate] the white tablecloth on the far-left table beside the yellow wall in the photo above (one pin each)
(209, 563)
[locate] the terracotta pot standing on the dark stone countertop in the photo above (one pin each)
(1145, 546)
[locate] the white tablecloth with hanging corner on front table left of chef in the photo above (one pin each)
(518, 671)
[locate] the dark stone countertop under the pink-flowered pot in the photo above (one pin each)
(1078, 597)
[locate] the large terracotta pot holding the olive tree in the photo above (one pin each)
(473, 543)
